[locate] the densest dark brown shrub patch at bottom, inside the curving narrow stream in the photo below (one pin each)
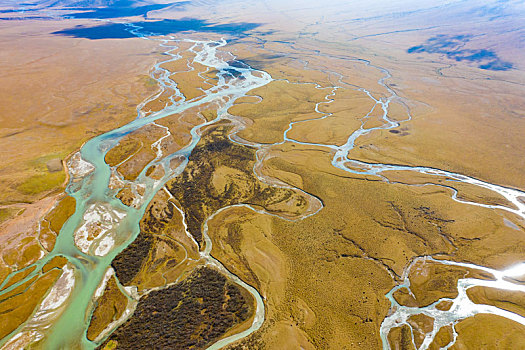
(189, 315)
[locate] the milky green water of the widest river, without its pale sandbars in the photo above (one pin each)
(73, 323)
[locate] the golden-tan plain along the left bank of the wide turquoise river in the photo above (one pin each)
(56, 93)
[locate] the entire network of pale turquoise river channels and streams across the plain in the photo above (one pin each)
(89, 261)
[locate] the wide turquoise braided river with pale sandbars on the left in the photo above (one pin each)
(95, 199)
